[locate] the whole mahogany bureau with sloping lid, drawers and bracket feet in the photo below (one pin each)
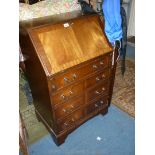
(71, 73)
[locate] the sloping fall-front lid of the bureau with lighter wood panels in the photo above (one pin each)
(64, 45)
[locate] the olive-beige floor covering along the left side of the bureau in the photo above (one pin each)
(35, 129)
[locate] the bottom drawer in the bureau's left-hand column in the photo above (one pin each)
(71, 120)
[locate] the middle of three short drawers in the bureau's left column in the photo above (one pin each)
(68, 107)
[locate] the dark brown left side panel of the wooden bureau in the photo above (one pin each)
(38, 83)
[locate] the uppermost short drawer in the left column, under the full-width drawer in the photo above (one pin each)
(66, 94)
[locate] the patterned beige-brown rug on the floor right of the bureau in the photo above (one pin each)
(124, 88)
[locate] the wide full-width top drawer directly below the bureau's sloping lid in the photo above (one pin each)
(74, 74)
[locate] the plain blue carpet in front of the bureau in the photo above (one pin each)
(112, 134)
